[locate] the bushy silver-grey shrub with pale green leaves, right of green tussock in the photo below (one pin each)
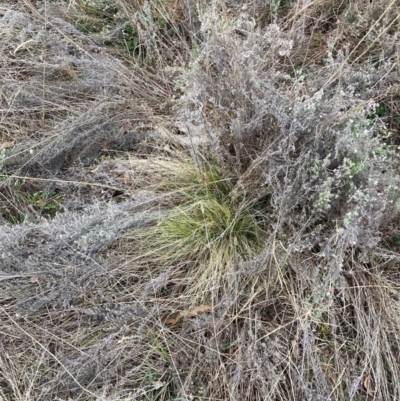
(308, 141)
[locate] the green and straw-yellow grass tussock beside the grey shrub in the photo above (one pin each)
(211, 227)
